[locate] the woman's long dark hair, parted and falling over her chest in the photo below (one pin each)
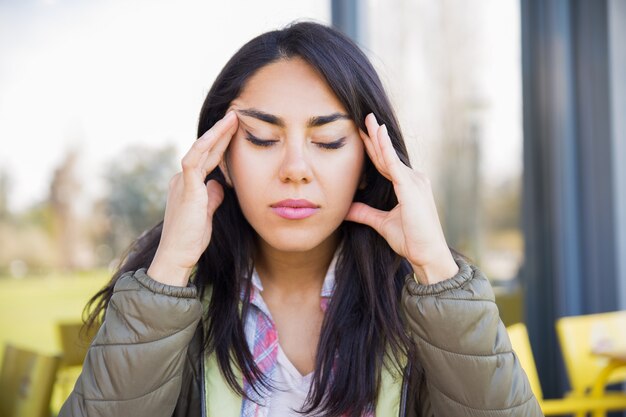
(362, 329)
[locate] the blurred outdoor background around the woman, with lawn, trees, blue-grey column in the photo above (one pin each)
(516, 109)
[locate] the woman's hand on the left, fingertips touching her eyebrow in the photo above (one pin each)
(187, 224)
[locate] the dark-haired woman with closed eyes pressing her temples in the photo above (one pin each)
(297, 215)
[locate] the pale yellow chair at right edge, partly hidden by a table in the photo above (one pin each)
(589, 373)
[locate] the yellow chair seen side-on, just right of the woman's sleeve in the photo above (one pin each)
(579, 406)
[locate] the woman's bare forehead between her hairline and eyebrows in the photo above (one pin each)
(291, 89)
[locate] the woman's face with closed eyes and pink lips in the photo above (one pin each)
(296, 160)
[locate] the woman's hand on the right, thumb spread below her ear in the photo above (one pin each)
(412, 228)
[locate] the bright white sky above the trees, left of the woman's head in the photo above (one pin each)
(99, 75)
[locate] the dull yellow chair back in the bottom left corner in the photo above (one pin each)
(26, 382)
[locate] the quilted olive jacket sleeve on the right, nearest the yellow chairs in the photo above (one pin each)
(469, 366)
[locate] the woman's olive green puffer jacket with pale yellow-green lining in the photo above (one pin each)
(145, 359)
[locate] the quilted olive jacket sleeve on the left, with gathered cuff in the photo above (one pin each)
(134, 365)
